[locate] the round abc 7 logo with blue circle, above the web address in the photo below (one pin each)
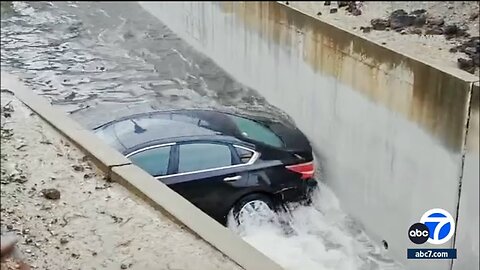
(436, 226)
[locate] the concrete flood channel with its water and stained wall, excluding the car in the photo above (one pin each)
(393, 136)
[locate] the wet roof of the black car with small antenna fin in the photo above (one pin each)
(167, 126)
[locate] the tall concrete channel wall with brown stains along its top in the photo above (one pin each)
(389, 131)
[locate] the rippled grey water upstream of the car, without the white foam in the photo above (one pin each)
(102, 60)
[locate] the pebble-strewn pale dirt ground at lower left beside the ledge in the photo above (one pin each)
(65, 220)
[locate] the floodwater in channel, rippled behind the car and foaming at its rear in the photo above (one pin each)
(99, 61)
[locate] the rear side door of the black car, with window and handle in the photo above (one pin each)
(208, 174)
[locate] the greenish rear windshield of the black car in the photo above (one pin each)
(256, 131)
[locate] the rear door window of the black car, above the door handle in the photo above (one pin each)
(201, 156)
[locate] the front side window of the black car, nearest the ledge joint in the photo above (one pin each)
(154, 161)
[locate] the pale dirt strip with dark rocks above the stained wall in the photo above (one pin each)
(439, 33)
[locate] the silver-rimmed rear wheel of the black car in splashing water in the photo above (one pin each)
(252, 204)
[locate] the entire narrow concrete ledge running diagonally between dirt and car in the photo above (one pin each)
(138, 181)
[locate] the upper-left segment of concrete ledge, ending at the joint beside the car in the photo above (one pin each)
(102, 155)
